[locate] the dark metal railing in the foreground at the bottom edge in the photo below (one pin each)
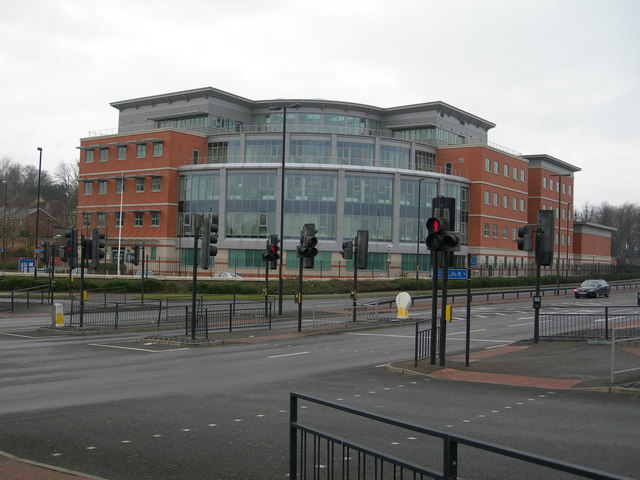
(357, 447)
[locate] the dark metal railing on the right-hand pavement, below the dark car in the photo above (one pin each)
(585, 326)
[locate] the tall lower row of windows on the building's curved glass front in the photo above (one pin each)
(366, 202)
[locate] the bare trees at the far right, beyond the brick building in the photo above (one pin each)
(625, 242)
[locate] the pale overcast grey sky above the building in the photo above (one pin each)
(559, 77)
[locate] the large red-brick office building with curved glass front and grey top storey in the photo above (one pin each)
(349, 166)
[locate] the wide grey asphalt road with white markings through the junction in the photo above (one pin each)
(113, 407)
